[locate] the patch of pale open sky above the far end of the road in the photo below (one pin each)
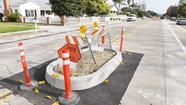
(159, 6)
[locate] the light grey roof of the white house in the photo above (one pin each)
(44, 4)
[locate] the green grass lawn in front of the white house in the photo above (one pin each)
(12, 27)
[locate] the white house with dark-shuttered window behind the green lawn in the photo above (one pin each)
(29, 9)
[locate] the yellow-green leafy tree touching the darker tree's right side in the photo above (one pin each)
(95, 7)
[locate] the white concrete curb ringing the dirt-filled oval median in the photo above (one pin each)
(87, 81)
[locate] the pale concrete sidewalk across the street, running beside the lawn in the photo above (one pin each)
(46, 31)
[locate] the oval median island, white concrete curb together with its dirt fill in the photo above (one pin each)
(93, 75)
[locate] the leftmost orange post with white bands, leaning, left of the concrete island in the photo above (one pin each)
(24, 64)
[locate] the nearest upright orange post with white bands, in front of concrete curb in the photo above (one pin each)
(66, 70)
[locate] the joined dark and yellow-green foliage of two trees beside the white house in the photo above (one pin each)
(79, 7)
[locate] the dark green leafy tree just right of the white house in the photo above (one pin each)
(66, 7)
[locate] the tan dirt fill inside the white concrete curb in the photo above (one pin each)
(86, 64)
